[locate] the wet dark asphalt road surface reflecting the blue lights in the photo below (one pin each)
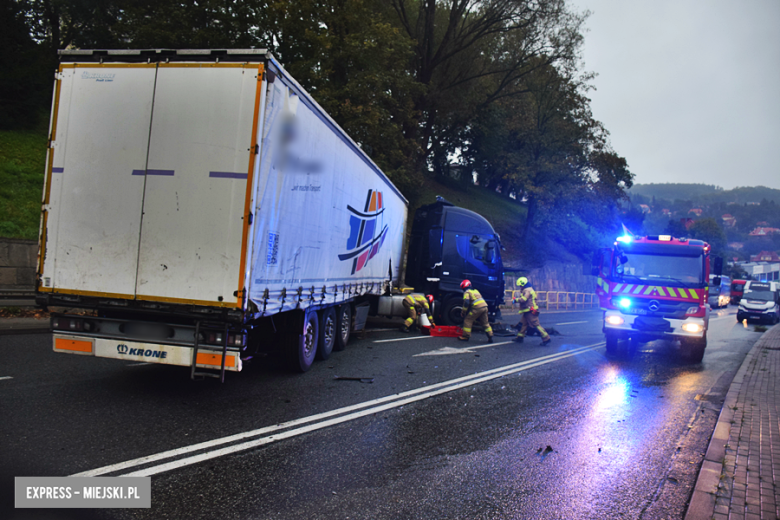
(583, 436)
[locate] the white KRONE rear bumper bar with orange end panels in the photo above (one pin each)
(146, 352)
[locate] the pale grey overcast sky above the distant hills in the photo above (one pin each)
(688, 89)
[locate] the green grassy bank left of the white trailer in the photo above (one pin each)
(22, 160)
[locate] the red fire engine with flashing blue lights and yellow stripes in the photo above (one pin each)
(655, 287)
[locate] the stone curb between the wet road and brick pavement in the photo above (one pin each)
(702, 504)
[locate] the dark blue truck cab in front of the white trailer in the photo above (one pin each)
(448, 245)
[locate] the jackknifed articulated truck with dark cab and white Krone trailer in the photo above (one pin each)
(202, 207)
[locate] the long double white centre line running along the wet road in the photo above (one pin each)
(391, 401)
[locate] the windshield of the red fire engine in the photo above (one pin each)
(652, 268)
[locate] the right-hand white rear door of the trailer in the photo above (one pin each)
(196, 181)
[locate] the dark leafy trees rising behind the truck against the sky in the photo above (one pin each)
(413, 82)
